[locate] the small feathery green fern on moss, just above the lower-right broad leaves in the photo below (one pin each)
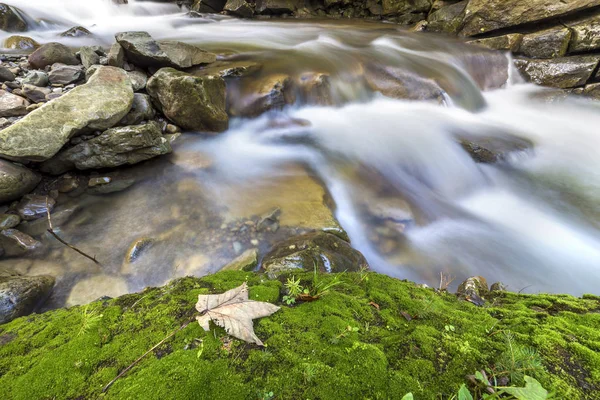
(518, 361)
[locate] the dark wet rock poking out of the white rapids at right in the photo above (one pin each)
(492, 149)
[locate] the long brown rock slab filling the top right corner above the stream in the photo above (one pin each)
(482, 16)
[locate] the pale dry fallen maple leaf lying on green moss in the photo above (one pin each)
(233, 311)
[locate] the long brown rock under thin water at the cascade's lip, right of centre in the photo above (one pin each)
(398, 83)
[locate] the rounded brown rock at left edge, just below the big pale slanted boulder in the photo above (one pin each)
(16, 181)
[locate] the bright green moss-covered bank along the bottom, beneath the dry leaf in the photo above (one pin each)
(355, 342)
